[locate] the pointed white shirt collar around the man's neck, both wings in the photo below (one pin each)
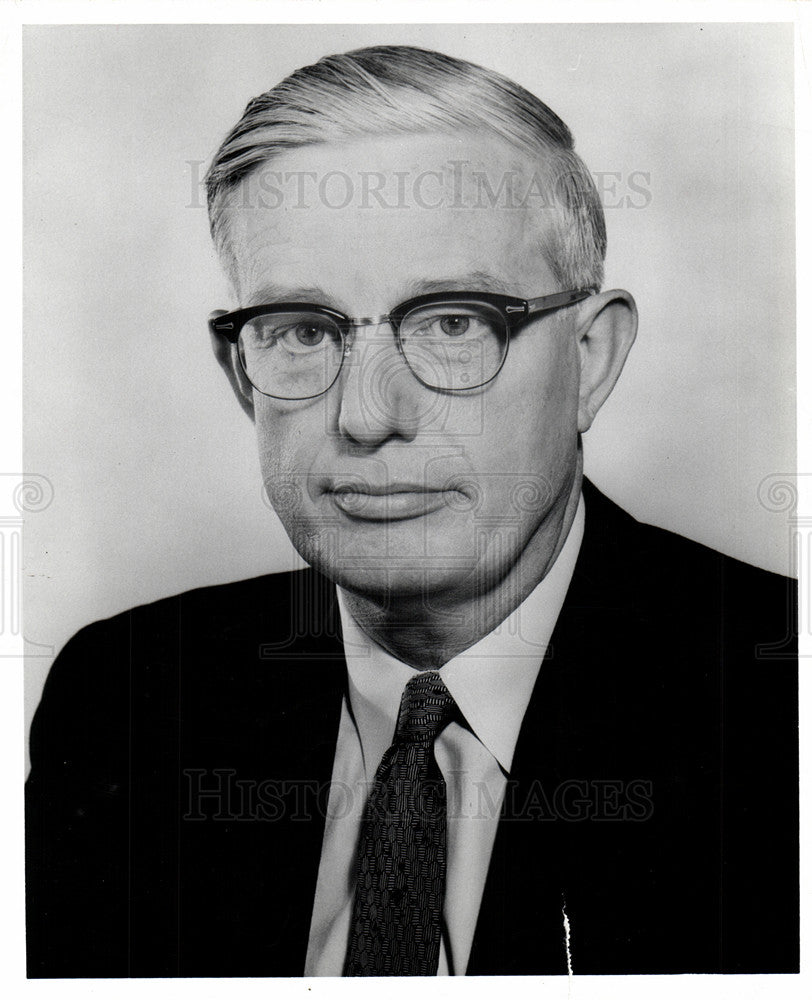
(491, 681)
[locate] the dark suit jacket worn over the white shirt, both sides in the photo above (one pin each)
(653, 793)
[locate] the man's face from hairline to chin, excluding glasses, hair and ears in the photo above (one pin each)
(385, 485)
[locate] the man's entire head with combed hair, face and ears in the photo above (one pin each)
(368, 180)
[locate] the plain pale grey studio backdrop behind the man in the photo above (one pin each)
(156, 484)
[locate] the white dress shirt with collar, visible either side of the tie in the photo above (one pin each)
(491, 682)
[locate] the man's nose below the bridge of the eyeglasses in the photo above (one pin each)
(380, 398)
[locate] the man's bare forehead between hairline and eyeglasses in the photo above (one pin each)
(370, 222)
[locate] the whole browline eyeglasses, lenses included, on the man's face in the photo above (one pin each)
(451, 341)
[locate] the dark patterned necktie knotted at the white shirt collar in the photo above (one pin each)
(400, 886)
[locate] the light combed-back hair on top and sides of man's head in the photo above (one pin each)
(397, 89)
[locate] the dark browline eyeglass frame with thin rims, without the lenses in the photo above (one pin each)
(515, 313)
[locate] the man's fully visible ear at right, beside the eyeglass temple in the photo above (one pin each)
(606, 328)
